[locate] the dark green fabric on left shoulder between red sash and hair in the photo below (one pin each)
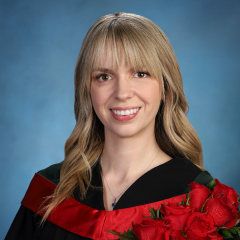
(52, 173)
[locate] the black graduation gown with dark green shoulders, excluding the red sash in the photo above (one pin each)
(162, 182)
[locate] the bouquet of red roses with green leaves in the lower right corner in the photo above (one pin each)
(206, 213)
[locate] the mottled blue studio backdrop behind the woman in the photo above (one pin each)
(40, 41)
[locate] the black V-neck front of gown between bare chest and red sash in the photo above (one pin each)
(161, 182)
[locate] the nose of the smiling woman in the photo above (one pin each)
(123, 88)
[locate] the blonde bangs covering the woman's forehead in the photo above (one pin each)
(123, 43)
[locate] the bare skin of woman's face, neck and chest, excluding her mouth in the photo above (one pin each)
(133, 141)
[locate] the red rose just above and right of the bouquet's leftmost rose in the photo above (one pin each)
(177, 215)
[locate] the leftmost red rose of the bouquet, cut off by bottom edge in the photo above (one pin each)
(151, 229)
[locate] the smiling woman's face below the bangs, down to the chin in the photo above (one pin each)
(114, 91)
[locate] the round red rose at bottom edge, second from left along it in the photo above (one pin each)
(200, 226)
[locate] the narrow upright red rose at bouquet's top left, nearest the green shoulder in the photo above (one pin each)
(198, 195)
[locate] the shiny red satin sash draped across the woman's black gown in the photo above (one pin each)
(83, 220)
